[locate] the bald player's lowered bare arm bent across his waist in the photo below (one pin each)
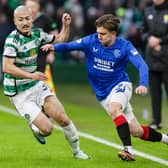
(10, 68)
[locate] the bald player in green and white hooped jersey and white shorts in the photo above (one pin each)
(25, 86)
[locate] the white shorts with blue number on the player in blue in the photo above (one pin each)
(121, 93)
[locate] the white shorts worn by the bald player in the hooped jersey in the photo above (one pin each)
(29, 103)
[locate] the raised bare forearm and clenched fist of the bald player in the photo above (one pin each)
(65, 31)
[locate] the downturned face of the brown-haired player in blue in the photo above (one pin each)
(106, 37)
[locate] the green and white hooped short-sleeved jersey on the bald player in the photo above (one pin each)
(24, 49)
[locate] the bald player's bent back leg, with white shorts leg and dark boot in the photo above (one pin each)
(38, 122)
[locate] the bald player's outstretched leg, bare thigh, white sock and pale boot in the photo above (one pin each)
(54, 109)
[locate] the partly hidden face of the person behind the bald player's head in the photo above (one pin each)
(34, 6)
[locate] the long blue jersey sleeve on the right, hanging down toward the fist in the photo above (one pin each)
(136, 59)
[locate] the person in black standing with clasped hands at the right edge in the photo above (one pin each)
(155, 34)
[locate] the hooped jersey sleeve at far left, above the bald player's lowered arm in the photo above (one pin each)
(10, 48)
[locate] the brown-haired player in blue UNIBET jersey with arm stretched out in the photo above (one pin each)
(106, 58)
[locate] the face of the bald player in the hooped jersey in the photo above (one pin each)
(23, 21)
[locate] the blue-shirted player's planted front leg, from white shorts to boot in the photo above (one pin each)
(115, 104)
